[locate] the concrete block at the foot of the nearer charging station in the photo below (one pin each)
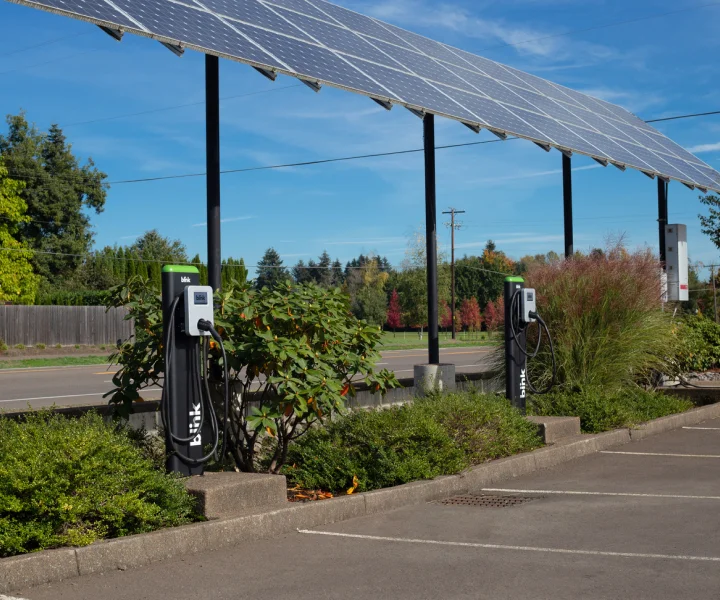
(231, 494)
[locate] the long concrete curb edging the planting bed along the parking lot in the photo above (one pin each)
(135, 551)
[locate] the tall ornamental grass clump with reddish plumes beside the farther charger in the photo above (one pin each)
(605, 315)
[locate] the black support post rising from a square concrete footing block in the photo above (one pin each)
(431, 239)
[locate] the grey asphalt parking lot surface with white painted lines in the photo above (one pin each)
(638, 521)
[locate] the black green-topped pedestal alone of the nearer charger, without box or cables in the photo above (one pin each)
(180, 387)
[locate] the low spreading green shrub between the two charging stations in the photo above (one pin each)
(440, 435)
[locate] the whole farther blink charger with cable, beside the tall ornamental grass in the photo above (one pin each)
(520, 313)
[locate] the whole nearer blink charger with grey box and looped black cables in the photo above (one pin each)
(188, 414)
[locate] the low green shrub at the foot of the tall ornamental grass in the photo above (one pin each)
(600, 410)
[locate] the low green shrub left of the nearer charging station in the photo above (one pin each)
(70, 482)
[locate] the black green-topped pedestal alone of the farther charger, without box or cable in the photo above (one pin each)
(515, 360)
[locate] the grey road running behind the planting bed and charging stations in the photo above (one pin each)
(75, 386)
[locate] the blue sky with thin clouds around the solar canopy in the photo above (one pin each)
(512, 191)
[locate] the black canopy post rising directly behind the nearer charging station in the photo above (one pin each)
(212, 125)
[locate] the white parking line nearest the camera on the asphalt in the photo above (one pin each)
(378, 538)
